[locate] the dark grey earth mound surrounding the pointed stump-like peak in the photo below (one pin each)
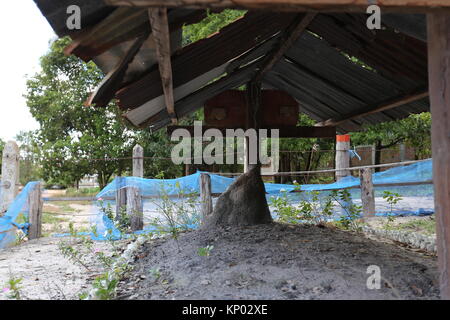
(278, 262)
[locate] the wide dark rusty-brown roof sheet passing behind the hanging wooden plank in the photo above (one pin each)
(202, 56)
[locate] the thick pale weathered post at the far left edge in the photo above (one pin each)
(10, 175)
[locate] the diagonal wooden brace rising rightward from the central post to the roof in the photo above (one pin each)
(289, 37)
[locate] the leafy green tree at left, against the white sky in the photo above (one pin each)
(74, 141)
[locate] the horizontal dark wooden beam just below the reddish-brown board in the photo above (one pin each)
(284, 132)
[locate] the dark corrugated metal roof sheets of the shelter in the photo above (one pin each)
(317, 70)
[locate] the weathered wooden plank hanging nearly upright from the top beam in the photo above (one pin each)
(161, 34)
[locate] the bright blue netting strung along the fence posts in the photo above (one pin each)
(420, 172)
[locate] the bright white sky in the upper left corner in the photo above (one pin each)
(24, 36)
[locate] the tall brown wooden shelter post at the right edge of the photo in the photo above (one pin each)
(439, 88)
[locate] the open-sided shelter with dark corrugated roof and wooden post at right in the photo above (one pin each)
(320, 52)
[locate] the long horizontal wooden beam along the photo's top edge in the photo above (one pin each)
(294, 5)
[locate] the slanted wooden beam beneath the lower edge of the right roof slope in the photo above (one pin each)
(374, 109)
